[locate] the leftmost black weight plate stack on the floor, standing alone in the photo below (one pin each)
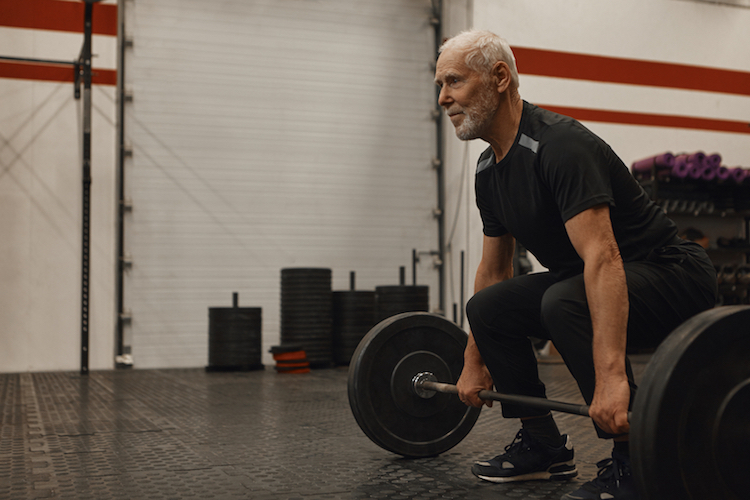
(234, 338)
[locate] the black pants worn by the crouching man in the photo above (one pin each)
(673, 284)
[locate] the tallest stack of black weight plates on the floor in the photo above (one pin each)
(306, 313)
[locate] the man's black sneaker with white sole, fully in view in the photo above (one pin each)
(526, 459)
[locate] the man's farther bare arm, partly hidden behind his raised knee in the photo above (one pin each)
(496, 265)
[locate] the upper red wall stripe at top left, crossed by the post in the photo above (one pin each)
(57, 15)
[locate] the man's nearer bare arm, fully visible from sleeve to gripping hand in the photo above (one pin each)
(607, 294)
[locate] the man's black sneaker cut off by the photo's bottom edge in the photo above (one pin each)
(614, 481)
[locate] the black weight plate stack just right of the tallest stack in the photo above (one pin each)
(353, 316)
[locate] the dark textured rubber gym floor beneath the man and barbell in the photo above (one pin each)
(173, 434)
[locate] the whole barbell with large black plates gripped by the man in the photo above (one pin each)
(689, 424)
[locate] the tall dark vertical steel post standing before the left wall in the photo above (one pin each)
(85, 65)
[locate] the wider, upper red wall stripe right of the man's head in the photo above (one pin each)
(630, 71)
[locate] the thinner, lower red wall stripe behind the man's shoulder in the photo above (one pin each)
(653, 120)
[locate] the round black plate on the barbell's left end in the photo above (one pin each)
(389, 412)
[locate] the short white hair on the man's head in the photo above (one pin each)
(483, 49)
